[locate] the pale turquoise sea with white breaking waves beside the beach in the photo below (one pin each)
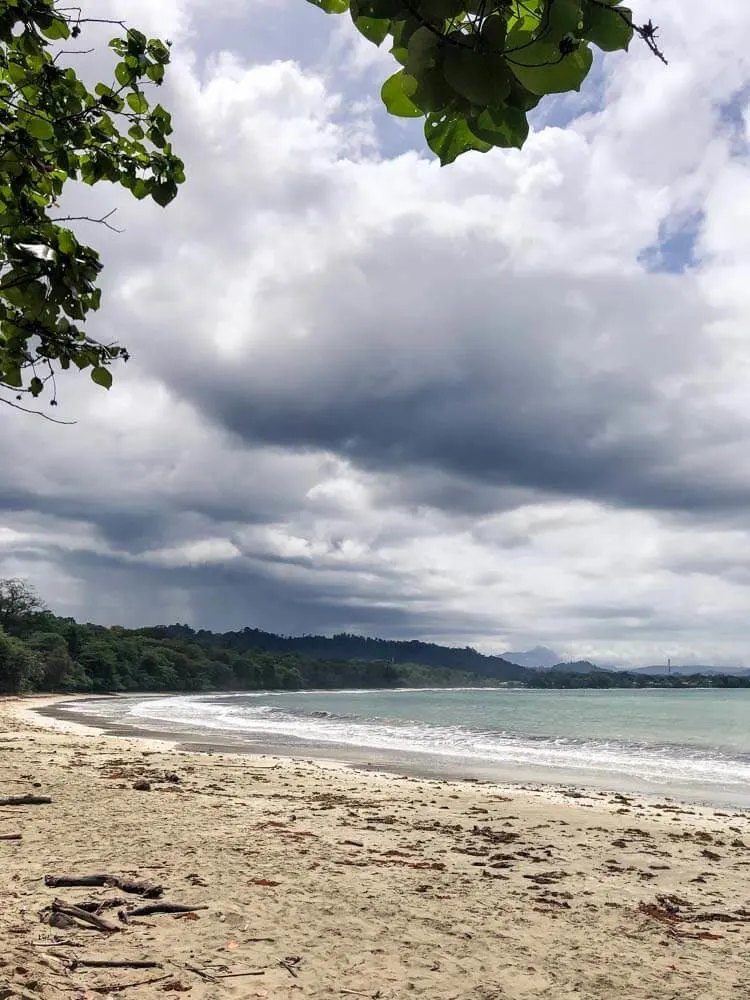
(687, 744)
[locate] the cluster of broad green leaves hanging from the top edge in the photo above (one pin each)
(473, 69)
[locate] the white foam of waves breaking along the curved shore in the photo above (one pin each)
(658, 764)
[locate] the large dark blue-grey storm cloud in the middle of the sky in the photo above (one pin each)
(539, 384)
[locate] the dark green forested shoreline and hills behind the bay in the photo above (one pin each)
(42, 652)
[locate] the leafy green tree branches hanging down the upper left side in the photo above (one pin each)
(54, 129)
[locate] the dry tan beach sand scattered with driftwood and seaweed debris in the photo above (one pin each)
(335, 883)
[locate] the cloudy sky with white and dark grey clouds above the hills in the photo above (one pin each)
(501, 403)
